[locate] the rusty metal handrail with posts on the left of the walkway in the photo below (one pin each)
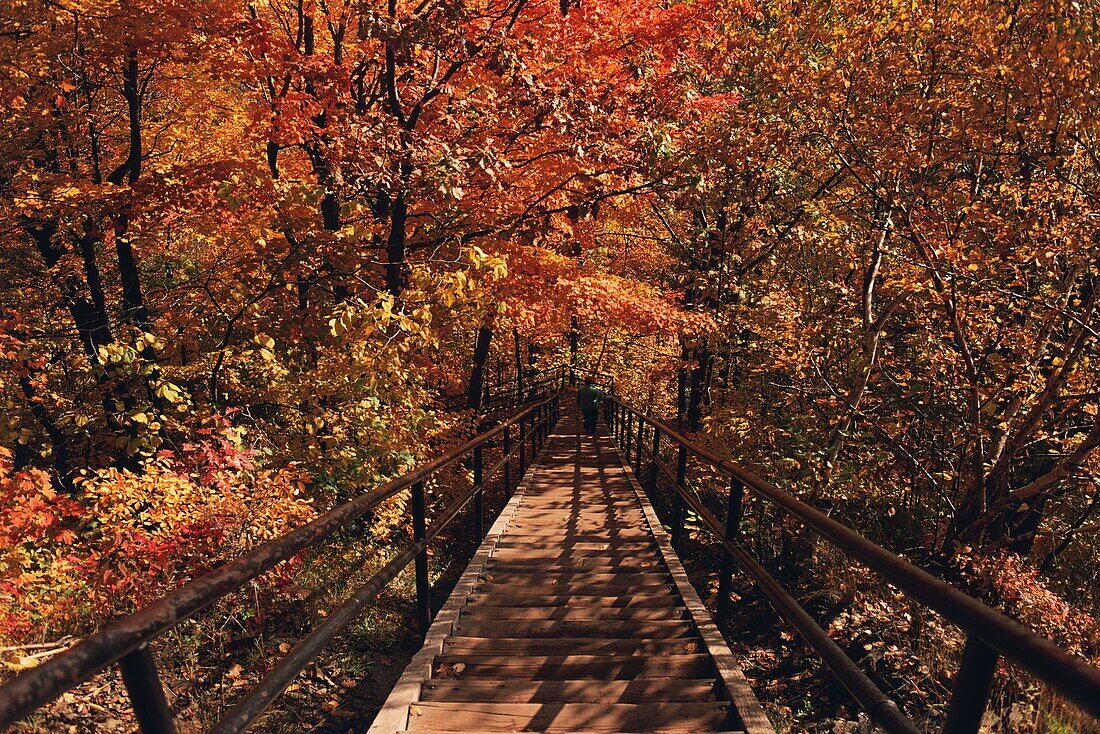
(126, 641)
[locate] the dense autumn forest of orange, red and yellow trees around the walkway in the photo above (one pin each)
(251, 253)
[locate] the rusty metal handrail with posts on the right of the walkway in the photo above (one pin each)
(991, 633)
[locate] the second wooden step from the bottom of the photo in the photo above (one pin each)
(570, 692)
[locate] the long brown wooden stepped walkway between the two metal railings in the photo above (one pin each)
(575, 616)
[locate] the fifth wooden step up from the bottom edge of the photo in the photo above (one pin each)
(575, 629)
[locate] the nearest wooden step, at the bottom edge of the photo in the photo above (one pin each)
(447, 717)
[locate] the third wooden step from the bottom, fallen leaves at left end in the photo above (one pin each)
(571, 667)
